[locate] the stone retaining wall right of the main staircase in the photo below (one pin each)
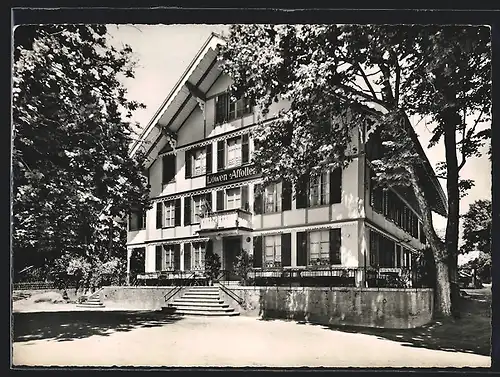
(369, 307)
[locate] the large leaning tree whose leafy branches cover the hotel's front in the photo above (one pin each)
(352, 75)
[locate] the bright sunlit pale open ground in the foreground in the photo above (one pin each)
(236, 341)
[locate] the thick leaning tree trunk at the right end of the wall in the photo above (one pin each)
(442, 291)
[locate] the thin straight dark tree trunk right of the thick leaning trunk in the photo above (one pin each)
(450, 119)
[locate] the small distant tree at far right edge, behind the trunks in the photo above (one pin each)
(477, 237)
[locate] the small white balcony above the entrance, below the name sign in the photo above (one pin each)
(226, 221)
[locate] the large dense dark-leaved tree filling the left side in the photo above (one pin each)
(73, 179)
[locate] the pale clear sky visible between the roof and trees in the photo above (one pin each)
(163, 53)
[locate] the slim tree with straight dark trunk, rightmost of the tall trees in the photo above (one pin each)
(450, 80)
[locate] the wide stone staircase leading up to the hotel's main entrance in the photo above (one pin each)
(201, 301)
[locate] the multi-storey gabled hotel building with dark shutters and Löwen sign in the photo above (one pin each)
(204, 196)
